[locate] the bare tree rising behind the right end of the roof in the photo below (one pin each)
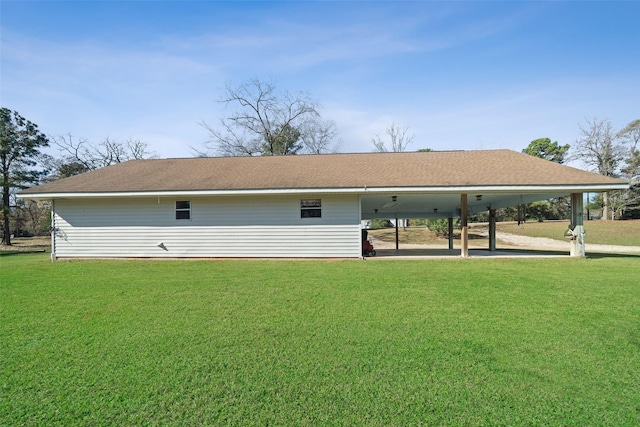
(601, 149)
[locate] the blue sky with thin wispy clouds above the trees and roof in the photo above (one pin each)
(461, 75)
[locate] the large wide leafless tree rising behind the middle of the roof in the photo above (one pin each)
(265, 121)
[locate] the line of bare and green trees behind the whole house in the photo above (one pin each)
(262, 120)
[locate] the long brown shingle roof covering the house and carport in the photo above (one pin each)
(415, 169)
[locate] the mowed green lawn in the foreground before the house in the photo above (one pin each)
(455, 342)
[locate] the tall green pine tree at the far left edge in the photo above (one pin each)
(20, 141)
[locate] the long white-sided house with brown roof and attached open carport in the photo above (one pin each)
(290, 206)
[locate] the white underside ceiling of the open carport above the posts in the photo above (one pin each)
(424, 205)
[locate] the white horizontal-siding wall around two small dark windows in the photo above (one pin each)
(223, 226)
